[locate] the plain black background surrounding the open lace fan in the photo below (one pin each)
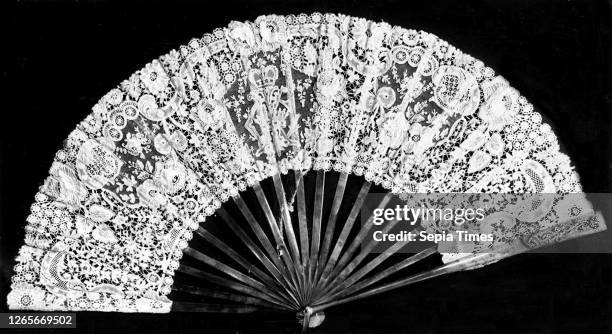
(557, 53)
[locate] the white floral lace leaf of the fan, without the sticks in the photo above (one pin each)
(162, 151)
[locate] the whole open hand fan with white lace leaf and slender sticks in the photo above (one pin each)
(230, 175)
